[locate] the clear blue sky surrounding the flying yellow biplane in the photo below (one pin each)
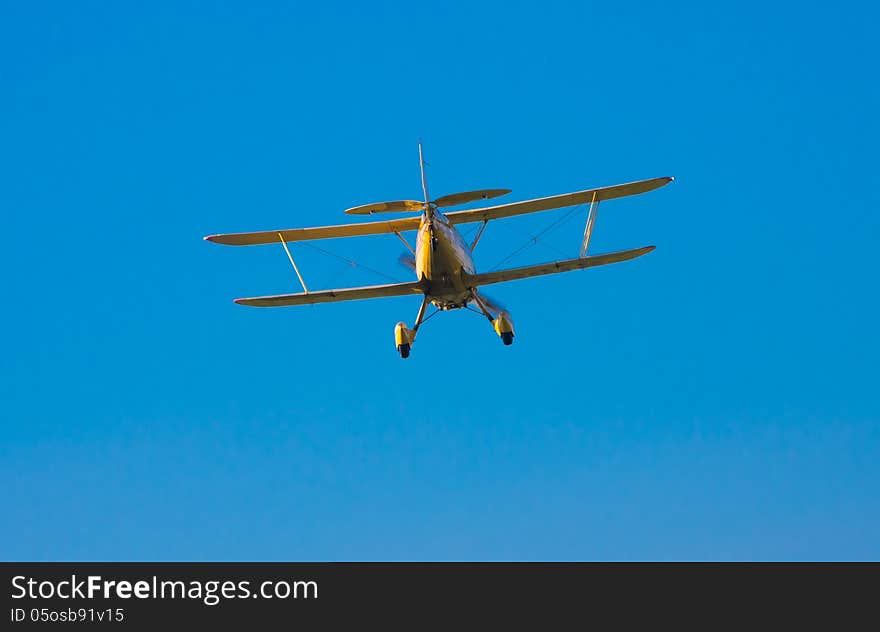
(715, 399)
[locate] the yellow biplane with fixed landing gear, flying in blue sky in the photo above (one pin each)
(441, 258)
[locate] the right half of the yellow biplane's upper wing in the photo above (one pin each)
(556, 201)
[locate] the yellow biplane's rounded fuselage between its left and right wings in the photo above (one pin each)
(441, 257)
